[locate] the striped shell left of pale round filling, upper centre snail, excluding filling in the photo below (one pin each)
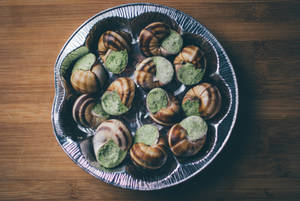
(144, 74)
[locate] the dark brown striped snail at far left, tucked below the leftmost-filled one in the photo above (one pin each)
(88, 112)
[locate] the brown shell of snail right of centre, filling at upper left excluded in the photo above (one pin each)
(168, 115)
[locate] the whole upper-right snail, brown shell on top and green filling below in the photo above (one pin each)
(190, 65)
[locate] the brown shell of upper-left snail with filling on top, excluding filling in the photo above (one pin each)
(90, 81)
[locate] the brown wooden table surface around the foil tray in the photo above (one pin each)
(261, 160)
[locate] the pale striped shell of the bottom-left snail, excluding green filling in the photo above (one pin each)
(116, 131)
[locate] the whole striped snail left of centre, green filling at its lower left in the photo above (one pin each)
(118, 97)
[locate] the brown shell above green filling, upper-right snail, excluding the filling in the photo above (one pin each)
(190, 54)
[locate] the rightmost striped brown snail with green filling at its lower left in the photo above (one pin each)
(202, 100)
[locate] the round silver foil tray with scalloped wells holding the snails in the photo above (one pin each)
(76, 140)
